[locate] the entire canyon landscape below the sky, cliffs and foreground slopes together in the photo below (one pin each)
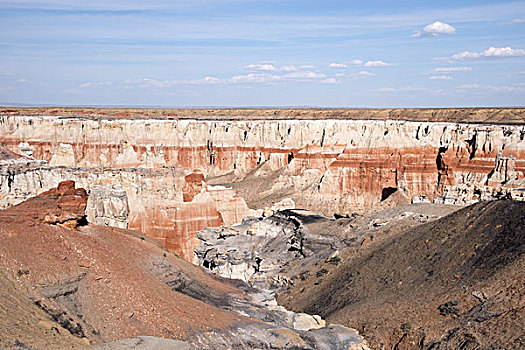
(307, 229)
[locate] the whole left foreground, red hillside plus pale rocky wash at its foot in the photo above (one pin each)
(101, 284)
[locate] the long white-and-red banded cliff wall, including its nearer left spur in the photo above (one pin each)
(329, 165)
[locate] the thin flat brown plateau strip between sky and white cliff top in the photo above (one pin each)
(509, 116)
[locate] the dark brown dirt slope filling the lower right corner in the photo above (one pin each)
(458, 282)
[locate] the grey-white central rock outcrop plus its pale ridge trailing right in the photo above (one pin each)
(276, 252)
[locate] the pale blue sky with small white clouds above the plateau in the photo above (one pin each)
(250, 53)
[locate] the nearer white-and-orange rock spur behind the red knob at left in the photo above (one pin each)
(150, 201)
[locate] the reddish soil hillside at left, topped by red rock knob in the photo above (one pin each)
(99, 283)
